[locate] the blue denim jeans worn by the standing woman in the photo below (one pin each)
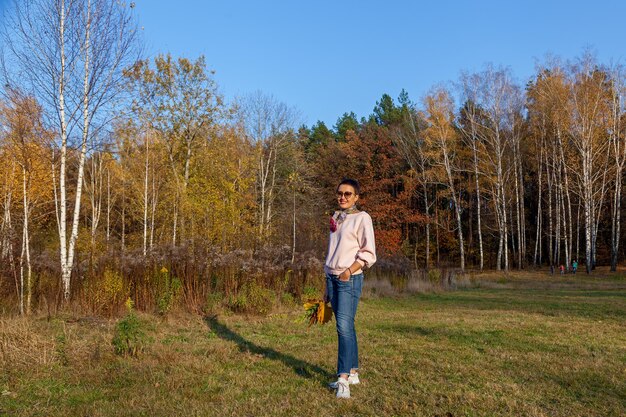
(344, 298)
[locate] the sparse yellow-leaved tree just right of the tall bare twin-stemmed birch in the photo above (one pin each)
(178, 99)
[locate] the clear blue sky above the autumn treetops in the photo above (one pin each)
(329, 57)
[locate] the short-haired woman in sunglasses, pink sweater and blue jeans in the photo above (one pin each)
(351, 249)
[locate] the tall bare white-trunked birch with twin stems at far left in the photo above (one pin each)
(69, 54)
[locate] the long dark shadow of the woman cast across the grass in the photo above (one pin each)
(300, 367)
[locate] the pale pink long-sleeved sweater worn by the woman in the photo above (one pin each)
(353, 240)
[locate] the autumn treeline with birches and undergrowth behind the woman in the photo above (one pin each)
(126, 177)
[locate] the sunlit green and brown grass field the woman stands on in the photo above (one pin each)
(522, 345)
